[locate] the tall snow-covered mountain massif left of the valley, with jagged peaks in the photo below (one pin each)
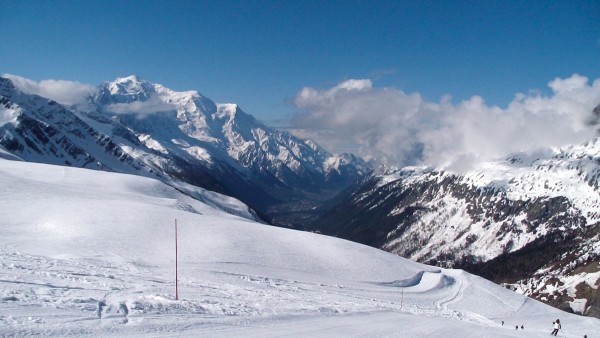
(130, 125)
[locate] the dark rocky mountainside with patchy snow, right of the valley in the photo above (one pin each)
(530, 220)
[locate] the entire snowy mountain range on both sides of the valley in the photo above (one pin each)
(529, 220)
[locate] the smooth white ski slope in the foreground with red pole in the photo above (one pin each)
(89, 253)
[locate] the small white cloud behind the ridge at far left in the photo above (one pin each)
(61, 91)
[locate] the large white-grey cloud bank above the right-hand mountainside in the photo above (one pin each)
(396, 128)
